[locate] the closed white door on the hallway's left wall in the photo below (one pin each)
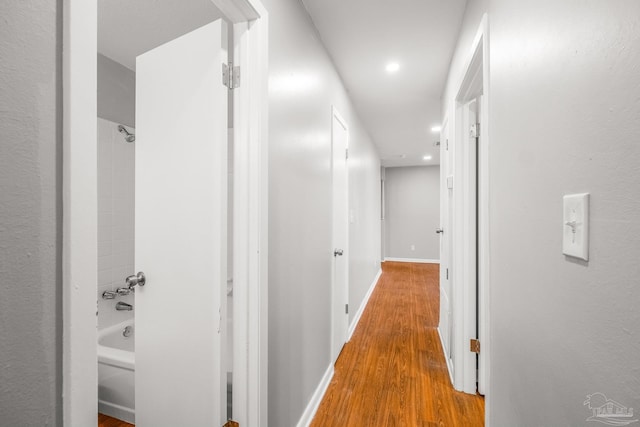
(340, 254)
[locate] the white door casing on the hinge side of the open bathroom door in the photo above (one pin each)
(250, 369)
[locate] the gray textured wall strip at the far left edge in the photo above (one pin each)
(30, 201)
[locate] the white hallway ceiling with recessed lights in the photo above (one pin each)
(399, 109)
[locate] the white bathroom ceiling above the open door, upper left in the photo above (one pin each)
(128, 28)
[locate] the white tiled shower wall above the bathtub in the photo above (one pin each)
(116, 217)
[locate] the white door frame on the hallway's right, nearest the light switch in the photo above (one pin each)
(475, 77)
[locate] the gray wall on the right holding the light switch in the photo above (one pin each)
(567, 72)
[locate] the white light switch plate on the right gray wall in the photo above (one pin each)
(575, 223)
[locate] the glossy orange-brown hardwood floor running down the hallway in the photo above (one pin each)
(393, 372)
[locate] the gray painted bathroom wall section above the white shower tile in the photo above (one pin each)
(116, 92)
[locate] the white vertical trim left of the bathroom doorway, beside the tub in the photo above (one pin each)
(80, 214)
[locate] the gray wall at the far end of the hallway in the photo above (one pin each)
(412, 212)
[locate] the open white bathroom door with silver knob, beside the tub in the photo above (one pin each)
(180, 230)
